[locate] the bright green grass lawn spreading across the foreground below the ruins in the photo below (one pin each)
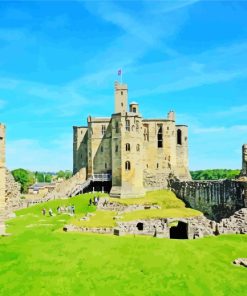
(39, 259)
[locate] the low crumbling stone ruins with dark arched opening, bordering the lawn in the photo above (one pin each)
(193, 228)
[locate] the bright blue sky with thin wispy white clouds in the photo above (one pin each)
(59, 61)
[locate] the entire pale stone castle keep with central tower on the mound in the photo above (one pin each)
(139, 154)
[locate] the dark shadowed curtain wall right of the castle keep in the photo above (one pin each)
(216, 199)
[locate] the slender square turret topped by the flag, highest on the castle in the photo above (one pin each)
(121, 98)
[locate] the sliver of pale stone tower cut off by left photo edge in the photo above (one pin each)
(2, 168)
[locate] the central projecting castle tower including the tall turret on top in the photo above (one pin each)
(127, 147)
